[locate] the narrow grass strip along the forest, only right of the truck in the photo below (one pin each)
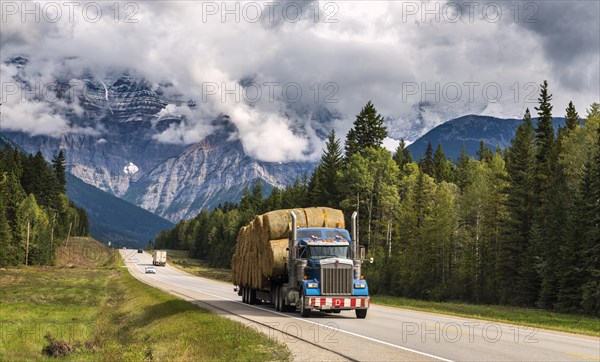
(522, 316)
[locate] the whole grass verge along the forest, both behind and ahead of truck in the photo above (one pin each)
(523, 316)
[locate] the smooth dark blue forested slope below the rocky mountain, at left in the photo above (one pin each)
(112, 219)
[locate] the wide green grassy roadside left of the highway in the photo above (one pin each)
(106, 314)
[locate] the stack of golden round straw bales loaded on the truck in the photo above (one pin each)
(261, 249)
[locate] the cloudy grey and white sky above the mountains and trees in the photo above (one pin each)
(296, 58)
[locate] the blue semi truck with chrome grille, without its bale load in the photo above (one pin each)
(321, 272)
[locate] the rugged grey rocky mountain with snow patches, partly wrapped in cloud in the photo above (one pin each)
(122, 156)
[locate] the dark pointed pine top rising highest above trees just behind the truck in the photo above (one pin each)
(368, 131)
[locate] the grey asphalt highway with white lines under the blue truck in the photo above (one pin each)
(387, 334)
